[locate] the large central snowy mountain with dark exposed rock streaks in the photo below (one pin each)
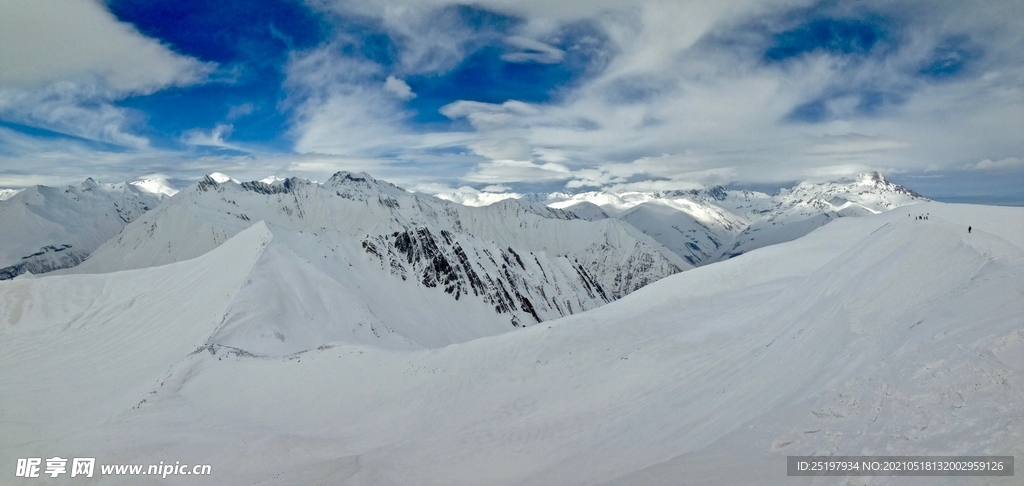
(360, 260)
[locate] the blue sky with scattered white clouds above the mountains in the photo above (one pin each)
(517, 96)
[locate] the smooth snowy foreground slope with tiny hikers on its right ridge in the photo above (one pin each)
(880, 335)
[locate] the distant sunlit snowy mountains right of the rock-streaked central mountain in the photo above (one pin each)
(708, 226)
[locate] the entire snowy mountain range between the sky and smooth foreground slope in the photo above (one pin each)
(346, 251)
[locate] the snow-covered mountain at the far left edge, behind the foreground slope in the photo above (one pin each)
(47, 229)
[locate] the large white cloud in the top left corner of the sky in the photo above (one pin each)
(64, 63)
